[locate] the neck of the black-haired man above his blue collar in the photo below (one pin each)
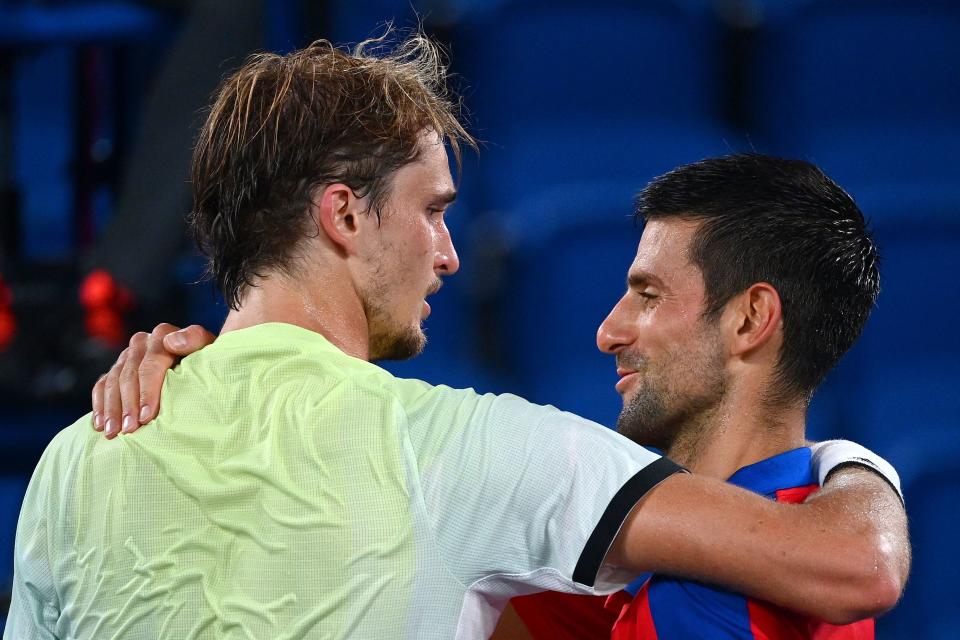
(738, 433)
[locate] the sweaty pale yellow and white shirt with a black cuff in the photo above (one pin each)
(287, 490)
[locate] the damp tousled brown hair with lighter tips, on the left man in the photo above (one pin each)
(281, 126)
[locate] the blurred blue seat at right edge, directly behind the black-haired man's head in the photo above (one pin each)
(905, 370)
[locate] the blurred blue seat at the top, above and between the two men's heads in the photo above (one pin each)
(610, 90)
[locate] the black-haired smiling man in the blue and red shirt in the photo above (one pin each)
(754, 275)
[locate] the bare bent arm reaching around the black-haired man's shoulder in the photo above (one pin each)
(842, 556)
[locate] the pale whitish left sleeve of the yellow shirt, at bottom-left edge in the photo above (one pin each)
(33, 605)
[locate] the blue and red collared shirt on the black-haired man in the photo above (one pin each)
(664, 608)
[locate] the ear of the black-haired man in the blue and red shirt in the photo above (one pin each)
(753, 318)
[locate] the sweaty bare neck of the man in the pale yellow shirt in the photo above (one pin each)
(336, 313)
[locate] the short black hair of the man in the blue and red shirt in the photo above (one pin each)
(784, 222)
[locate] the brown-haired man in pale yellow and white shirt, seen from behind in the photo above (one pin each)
(290, 488)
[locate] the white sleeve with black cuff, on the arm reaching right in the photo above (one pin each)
(528, 498)
